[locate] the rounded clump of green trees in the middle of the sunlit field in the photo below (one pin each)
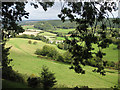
(51, 52)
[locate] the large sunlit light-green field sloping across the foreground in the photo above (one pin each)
(26, 62)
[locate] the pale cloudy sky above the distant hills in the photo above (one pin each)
(51, 13)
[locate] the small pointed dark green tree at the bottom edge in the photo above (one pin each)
(47, 78)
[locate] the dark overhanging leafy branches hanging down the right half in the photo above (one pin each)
(90, 15)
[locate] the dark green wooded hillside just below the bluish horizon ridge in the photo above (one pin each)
(52, 25)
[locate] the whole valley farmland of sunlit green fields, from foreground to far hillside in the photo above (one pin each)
(27, 63)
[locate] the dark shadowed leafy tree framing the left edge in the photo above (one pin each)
(12, 12)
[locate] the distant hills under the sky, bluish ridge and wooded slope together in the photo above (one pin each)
(53, 24)
